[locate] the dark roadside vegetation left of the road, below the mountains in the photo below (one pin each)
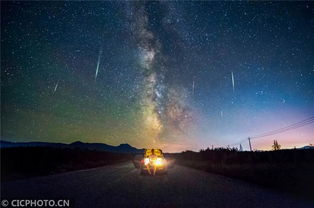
(25, 162)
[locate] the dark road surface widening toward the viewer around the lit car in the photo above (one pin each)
(122, 186)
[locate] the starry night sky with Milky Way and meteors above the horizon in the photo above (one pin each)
(175, 75)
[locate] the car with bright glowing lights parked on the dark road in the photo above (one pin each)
(153, 162)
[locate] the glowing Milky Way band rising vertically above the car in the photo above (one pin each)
(165, 112)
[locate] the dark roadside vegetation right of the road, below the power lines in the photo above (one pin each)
(290, 171)
